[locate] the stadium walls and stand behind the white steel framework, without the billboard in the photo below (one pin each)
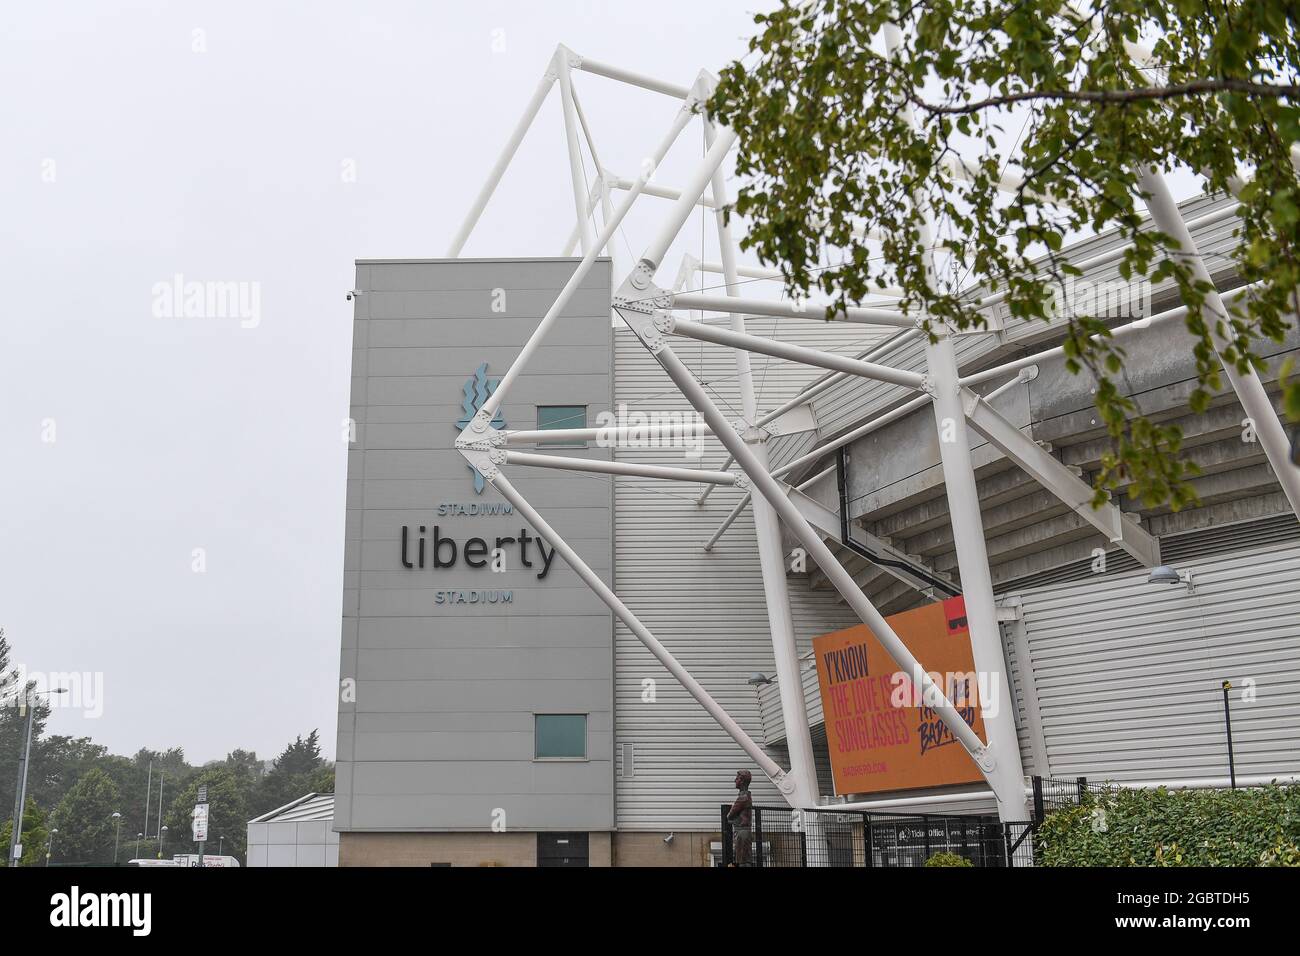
(495, 712)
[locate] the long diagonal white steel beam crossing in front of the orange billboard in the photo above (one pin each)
(986, 758)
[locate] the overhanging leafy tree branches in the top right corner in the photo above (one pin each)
(833, 159)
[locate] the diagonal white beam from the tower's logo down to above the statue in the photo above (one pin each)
(593, 581)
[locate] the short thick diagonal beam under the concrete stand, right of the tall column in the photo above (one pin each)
(1077, 494)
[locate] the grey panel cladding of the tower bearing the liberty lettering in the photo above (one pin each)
(449, 664)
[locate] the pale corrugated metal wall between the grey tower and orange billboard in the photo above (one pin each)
(677, 765)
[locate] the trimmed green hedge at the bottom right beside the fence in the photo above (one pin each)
(1190, 828)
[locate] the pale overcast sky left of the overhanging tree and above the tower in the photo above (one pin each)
(271, 145)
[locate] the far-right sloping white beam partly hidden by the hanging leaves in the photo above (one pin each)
(1249, 388)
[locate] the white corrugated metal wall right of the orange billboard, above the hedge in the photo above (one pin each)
(1128, 674)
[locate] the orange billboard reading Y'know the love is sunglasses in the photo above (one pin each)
(881, 734)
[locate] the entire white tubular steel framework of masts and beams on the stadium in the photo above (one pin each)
(648, 310)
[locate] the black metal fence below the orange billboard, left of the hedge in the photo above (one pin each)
(827, 837)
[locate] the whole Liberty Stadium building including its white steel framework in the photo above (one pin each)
(610, 542)
